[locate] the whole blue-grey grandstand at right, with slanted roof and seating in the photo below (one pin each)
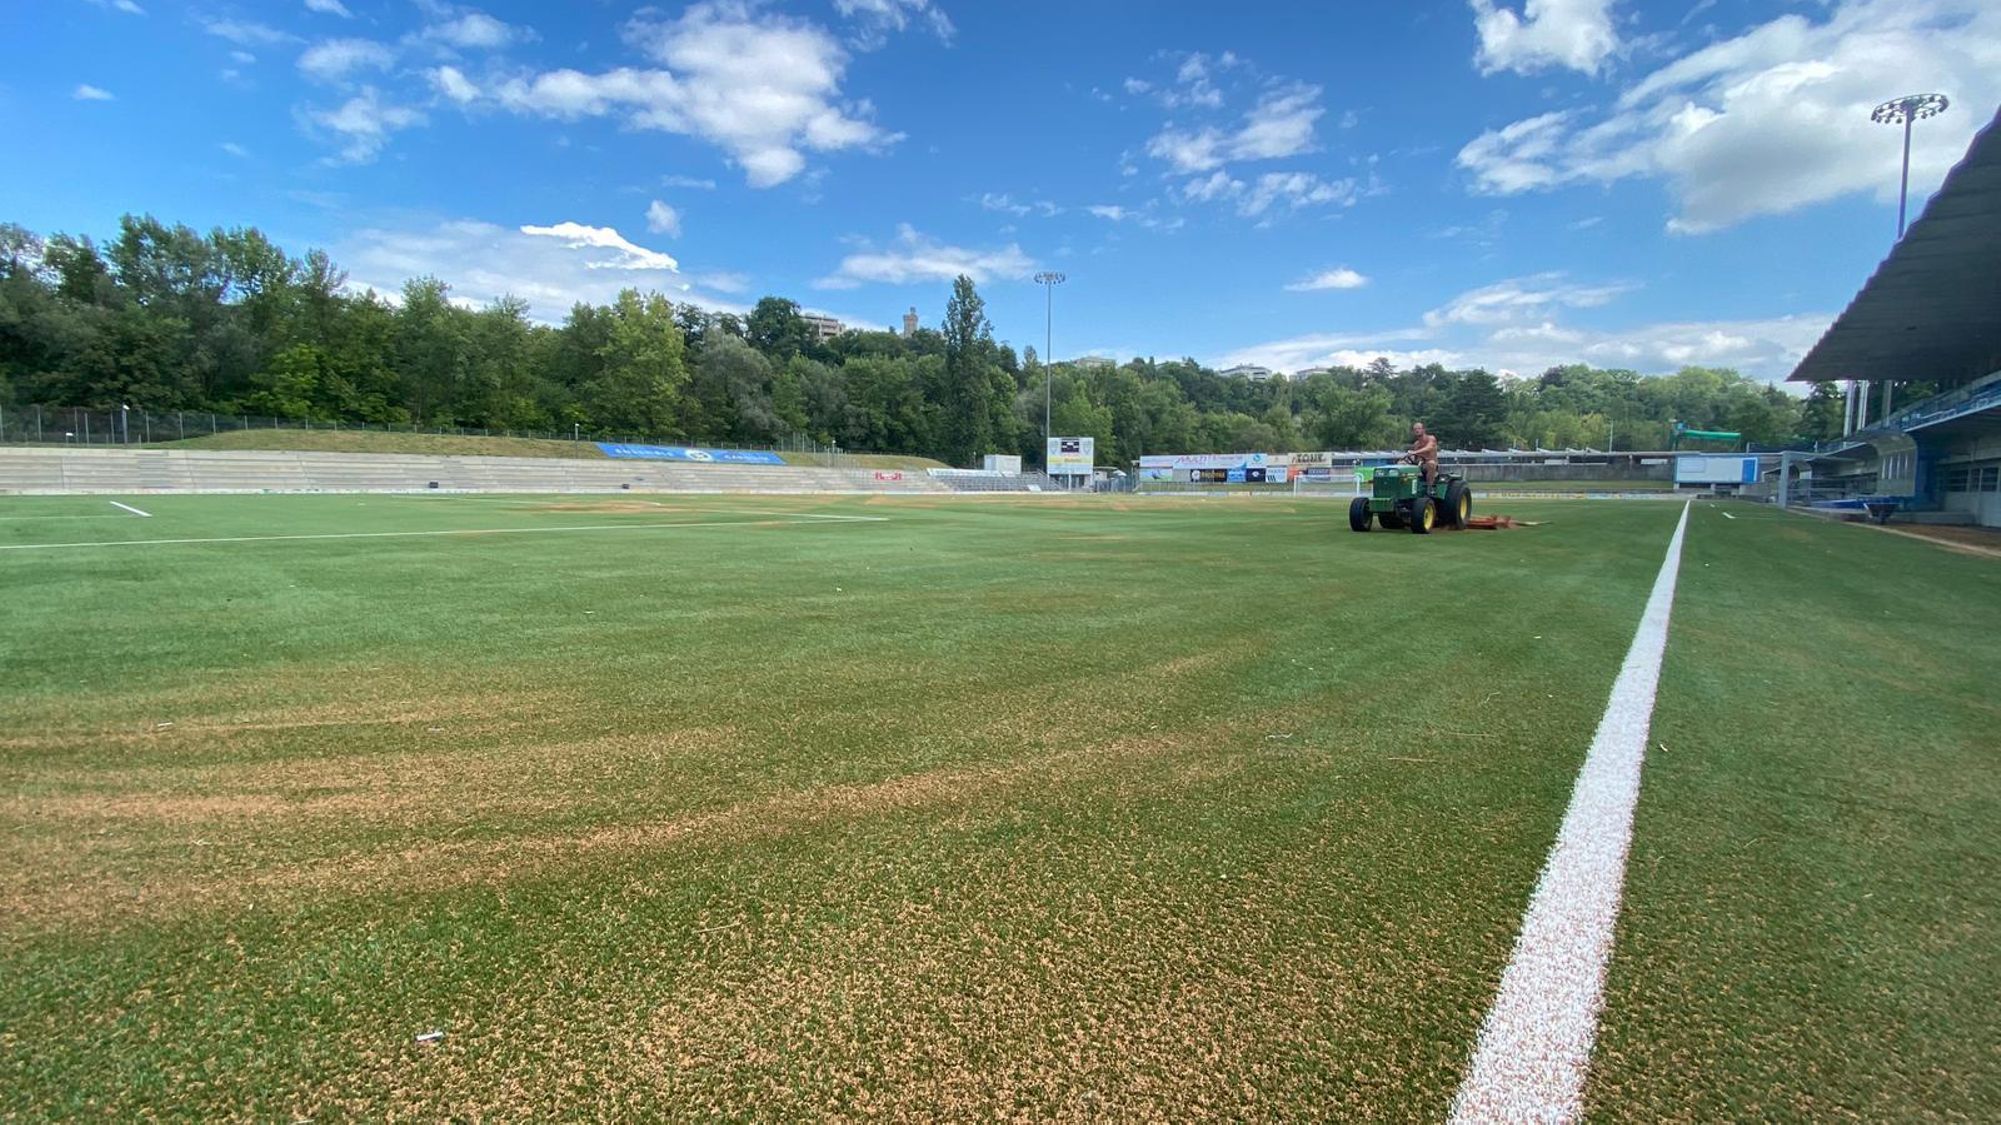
(1928, 317)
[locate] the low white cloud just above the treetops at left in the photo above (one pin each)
(551, 269)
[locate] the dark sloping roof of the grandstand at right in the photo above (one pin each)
(1930, 309)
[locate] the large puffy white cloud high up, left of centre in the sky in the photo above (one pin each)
(759, 85)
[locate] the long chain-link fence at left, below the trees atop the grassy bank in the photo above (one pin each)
(75, 425)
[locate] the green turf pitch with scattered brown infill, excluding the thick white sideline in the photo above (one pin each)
(777, 808)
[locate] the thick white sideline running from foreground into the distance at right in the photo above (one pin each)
(1536, 1048)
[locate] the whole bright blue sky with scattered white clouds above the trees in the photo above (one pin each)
(1474, 183)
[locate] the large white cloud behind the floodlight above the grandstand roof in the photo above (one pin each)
(1774, 119)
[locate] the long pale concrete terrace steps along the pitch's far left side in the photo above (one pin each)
(139, 469)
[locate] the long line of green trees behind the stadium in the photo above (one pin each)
(173, 319)
